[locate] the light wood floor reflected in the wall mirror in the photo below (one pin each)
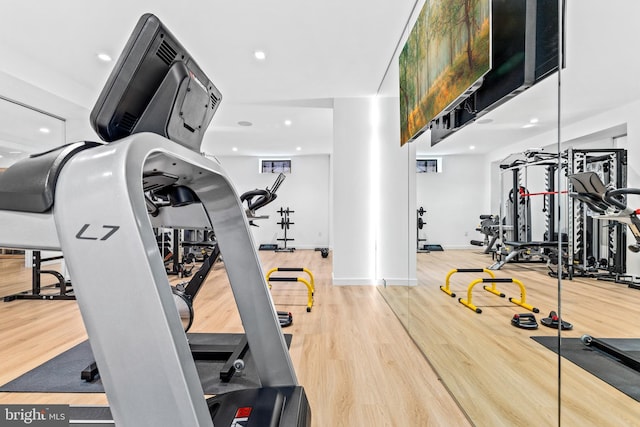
(499, 375)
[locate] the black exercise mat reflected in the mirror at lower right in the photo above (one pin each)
(600, 364)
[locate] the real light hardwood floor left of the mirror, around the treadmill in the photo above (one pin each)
(357, 363)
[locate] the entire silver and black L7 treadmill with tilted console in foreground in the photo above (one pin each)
(88, 200)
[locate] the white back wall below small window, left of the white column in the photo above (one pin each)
(305, 191)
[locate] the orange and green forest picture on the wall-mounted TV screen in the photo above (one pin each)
(448, 50)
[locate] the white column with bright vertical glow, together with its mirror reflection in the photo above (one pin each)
(371, 195)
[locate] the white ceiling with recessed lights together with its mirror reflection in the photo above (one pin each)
(316, 51)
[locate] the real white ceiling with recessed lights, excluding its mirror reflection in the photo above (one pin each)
(316, 51)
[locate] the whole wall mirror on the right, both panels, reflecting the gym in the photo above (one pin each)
(499, 196)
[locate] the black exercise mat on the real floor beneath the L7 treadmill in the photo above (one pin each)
(62, 373)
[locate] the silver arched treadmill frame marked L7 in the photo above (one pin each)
(129, 313)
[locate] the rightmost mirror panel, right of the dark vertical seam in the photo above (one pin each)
(600, 94)
